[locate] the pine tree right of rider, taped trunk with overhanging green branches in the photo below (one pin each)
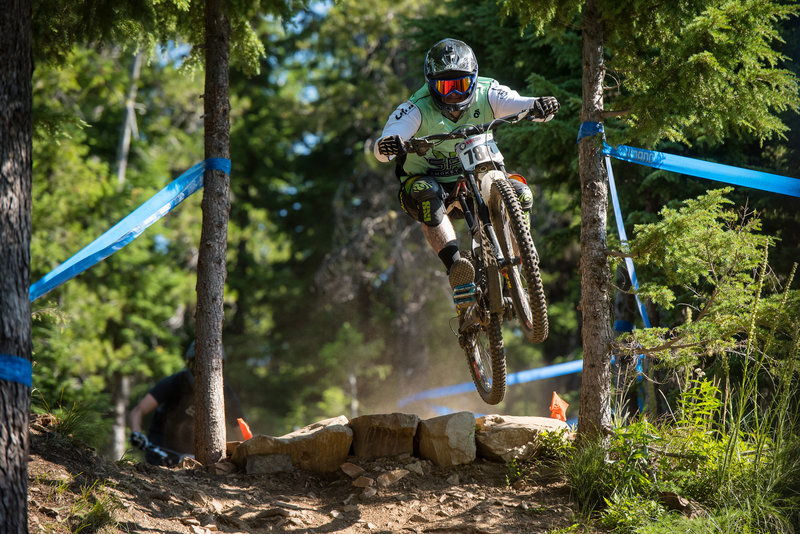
(705, 68)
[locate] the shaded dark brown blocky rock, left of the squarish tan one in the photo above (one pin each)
(380, 435)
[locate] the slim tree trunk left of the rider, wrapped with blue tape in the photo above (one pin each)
(209, 434)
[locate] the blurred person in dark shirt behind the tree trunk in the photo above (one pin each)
(172, 401)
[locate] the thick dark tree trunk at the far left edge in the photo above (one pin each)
(16, 169)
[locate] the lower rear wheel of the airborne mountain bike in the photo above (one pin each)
(482, 343)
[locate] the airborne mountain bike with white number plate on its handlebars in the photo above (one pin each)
(508, 284)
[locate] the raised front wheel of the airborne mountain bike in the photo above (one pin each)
(522, 276)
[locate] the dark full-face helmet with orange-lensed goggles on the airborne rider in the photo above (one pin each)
(451, 71)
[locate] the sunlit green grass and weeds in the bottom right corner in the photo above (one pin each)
(731, 447)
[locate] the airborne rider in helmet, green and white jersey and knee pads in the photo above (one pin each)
(453, 96)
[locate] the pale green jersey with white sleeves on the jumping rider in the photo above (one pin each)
(419, 117)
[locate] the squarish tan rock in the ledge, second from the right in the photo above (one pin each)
(448, 439)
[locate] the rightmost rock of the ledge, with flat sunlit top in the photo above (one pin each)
(502, 438)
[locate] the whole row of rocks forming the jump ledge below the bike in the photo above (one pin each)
(445, 441)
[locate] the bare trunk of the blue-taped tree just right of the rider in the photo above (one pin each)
(594, 417)
